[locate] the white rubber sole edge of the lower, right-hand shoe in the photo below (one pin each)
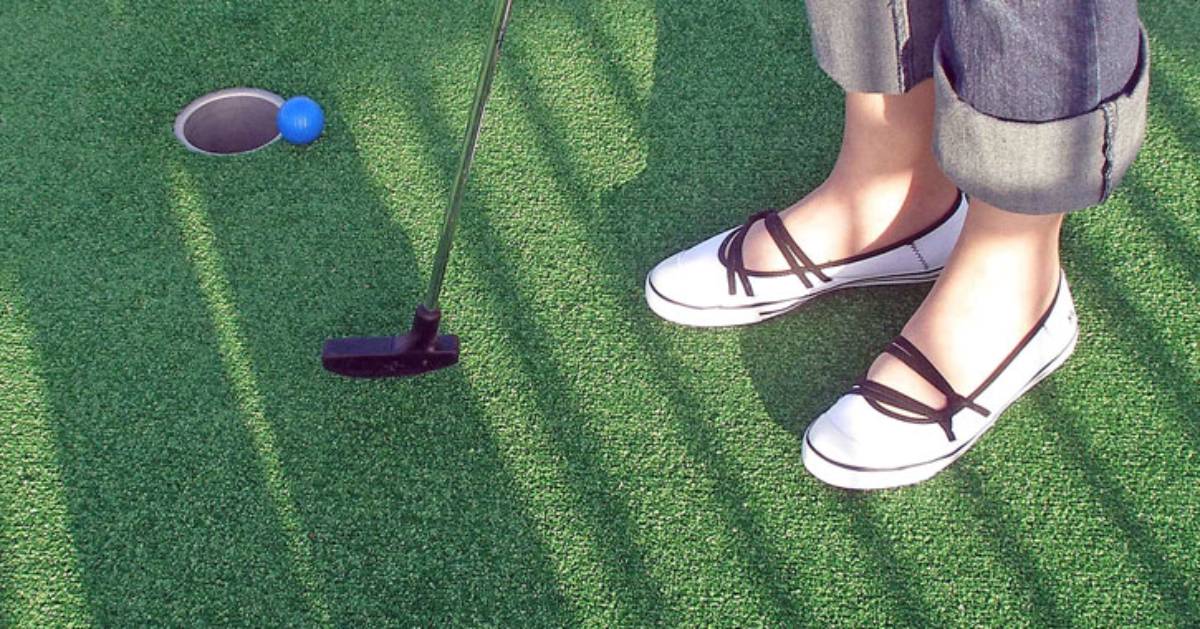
(854, 478)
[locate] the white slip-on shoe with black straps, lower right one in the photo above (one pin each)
(877, 438)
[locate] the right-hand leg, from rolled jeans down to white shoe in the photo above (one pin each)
(1041, 110)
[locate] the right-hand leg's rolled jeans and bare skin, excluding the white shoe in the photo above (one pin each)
(1060, 77)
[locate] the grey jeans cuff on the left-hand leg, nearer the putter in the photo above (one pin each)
(875, 46)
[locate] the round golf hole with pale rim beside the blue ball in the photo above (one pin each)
(230, 122)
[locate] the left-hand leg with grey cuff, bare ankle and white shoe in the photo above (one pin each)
(886, 214)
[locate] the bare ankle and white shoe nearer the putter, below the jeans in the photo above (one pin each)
(885, 215)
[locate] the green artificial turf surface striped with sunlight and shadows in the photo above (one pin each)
(171, 452)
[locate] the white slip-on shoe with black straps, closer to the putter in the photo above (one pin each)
(709, 285)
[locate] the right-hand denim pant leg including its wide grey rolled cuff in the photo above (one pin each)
(1041, 105)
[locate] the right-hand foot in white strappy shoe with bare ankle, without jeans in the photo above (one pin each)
(999, 320)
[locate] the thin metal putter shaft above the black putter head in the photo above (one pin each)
(487, 76)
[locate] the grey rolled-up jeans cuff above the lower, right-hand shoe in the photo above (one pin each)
(1051, 167)
